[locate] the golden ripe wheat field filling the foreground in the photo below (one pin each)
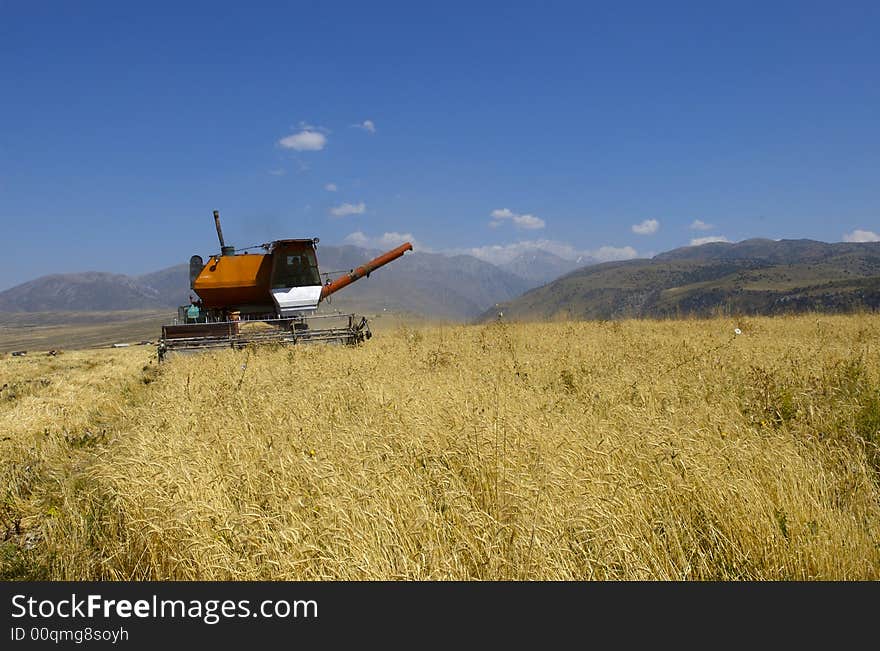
(625, 450)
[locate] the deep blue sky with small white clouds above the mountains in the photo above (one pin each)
(612, 129)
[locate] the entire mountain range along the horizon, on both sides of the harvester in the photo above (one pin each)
(756, 276)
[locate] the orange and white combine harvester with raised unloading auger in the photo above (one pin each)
(246, 299)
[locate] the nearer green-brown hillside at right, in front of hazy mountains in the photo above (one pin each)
(751, 277)
